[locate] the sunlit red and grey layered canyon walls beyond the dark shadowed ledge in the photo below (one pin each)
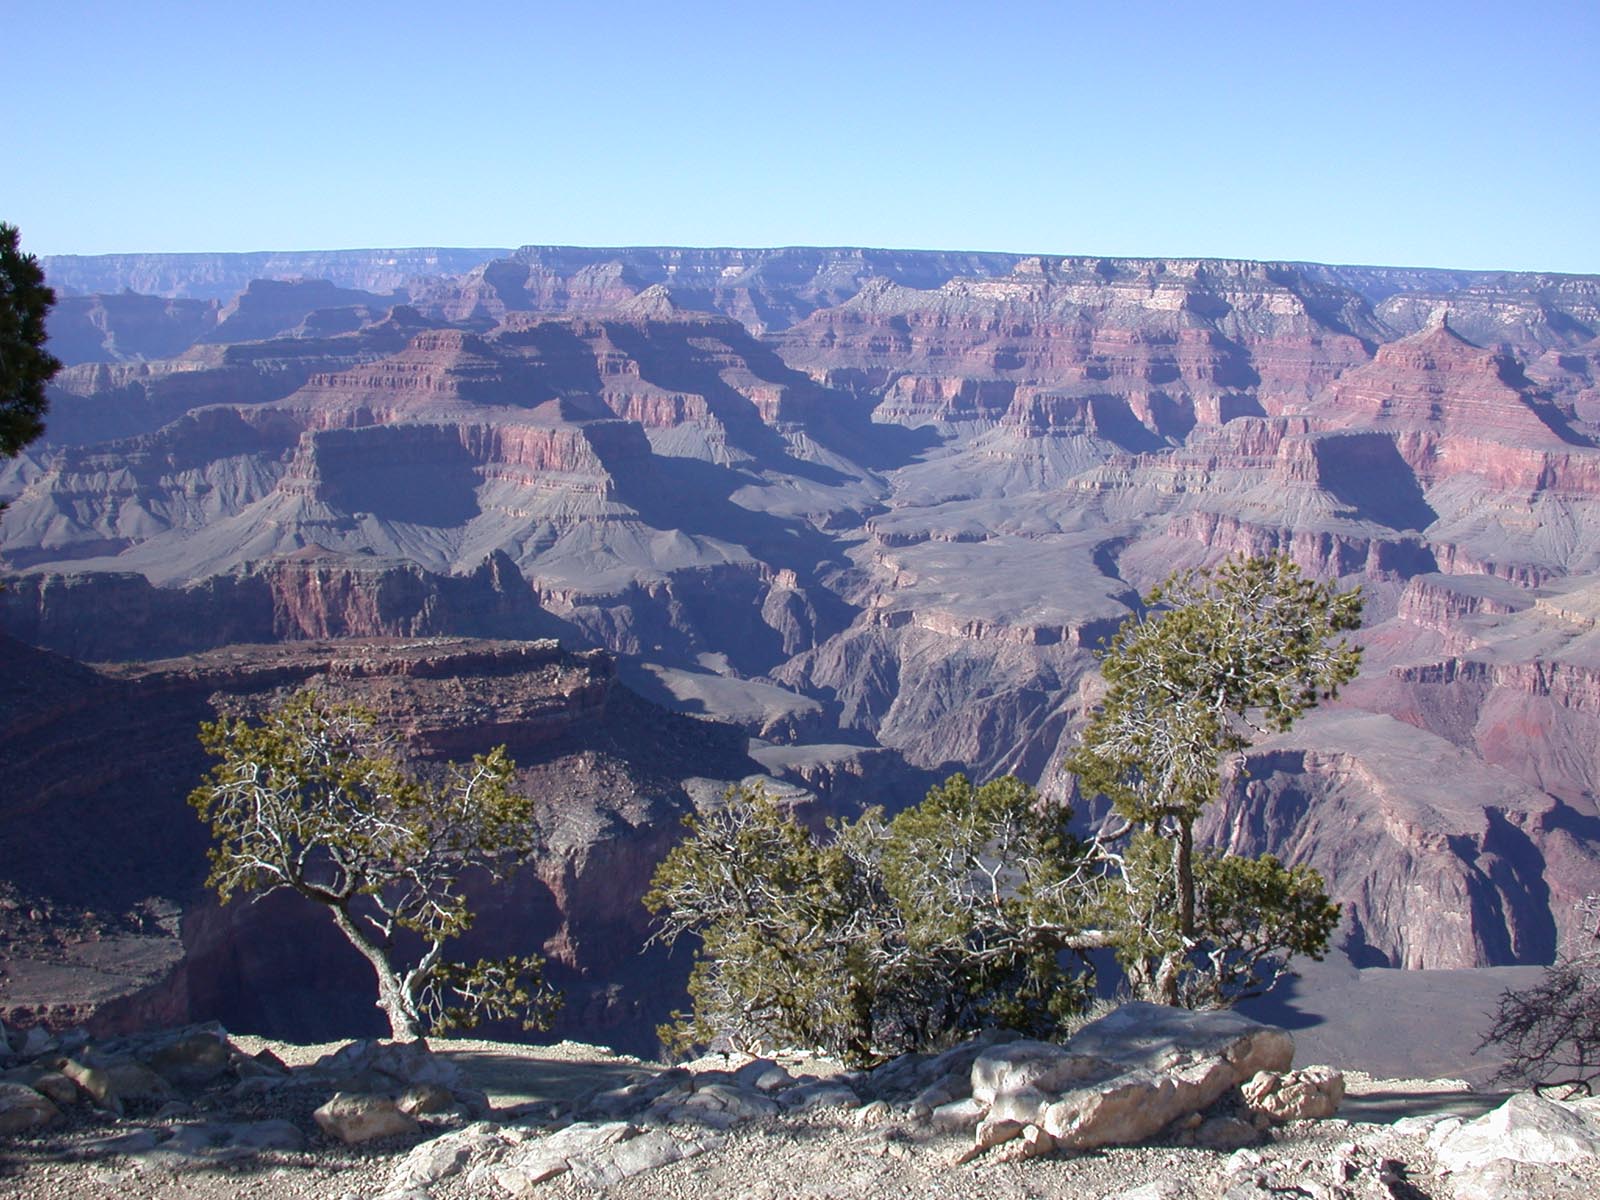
(865, 502)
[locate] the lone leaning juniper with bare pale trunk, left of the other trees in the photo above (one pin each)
(314, 801)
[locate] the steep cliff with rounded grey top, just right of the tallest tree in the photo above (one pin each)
(1439, 860)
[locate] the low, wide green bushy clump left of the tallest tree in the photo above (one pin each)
(889, 935)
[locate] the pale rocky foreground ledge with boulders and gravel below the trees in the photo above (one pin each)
(1143, 1105)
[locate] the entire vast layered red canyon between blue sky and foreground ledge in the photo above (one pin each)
(666, 521)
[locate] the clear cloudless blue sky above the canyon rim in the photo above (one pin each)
(1462, 135)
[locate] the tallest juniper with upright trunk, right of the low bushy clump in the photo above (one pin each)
(1215, 660)
